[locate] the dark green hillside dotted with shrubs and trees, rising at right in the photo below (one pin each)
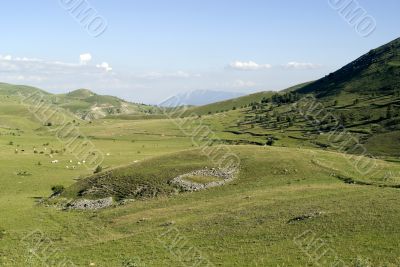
(360, 119)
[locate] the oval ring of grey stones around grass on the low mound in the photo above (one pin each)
(185, 185)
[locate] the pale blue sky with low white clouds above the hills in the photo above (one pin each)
(156, 48)
